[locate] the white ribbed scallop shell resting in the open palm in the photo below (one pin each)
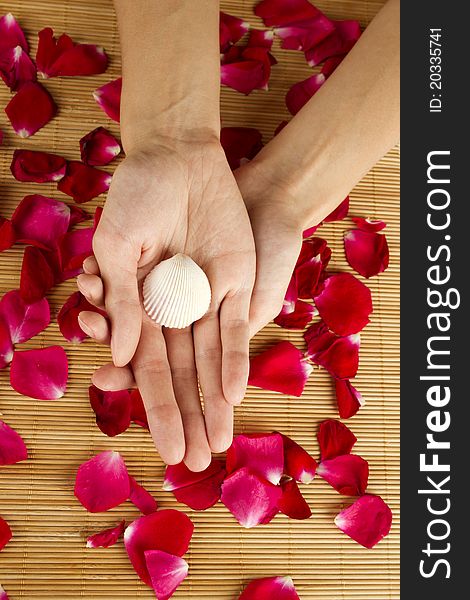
(176, 292)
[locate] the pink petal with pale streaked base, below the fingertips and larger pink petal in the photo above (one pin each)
(251, 499)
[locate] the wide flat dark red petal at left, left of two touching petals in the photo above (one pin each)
(38, 167)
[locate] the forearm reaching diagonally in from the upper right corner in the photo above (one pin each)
(350, 123)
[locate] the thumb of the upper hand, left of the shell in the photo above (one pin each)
(117, 261)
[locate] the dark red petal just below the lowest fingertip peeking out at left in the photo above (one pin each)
(112, 410)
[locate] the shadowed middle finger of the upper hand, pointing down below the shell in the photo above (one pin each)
(180, 349)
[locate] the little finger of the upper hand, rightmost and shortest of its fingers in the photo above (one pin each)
(235, 337)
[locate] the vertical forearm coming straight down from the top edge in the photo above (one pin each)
(171, 70)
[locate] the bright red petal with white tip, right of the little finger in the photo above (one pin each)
(282, 368)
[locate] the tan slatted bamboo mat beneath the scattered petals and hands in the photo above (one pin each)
(47, 557)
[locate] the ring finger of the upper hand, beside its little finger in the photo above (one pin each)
(218, 412)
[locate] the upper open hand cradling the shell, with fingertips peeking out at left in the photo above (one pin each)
(164, 199)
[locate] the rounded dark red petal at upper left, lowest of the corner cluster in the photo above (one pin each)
(31, 108)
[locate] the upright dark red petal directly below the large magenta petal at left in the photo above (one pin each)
(37, 277)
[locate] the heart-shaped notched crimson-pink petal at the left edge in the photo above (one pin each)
(24, 320)
